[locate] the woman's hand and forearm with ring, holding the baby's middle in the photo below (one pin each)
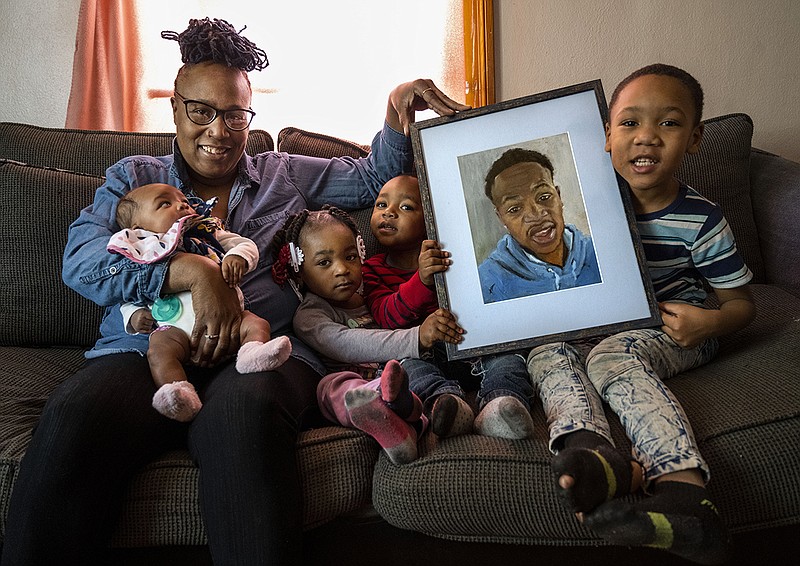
(218, 311)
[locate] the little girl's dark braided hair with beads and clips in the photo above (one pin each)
(292, 230)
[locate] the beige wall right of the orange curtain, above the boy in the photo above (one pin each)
(745, 53)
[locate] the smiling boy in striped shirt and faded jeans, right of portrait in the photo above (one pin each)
(654, 121)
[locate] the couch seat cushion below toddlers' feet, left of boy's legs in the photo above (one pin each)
(503, 491)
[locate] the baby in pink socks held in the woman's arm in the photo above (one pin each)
(158, 221)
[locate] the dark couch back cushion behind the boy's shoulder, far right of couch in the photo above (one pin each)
(720, 171)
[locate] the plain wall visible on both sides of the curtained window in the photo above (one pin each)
(746, 54)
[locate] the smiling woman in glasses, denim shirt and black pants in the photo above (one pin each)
(98, 428)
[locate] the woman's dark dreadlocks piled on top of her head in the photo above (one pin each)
(218, 41)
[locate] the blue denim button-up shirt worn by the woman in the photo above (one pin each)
(270, 186)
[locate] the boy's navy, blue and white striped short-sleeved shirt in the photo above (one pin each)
(687, 243)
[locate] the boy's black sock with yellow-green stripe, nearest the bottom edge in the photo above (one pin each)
(678, 518)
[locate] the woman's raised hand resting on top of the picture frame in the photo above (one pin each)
(408, 98)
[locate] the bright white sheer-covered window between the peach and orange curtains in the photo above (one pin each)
(332, 63)
